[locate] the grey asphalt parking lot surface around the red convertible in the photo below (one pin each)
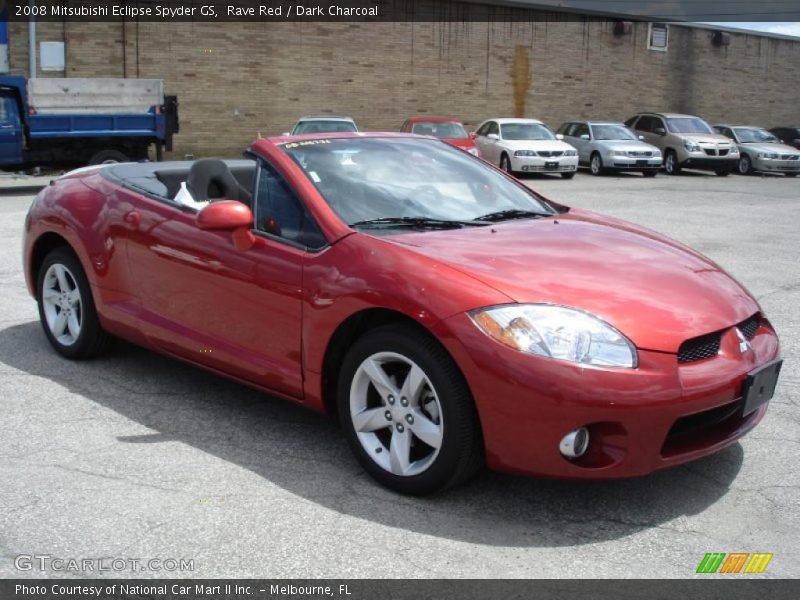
(135, 455)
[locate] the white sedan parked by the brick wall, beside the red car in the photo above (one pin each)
(525, 146)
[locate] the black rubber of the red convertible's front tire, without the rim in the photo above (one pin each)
(460, 454)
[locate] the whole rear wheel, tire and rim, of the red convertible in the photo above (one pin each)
(66, 307)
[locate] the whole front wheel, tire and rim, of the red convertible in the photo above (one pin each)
(407, 412)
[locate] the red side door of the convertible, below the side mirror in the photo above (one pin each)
(201, 298)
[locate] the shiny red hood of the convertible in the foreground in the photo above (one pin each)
(656, 291)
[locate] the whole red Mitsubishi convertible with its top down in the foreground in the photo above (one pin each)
(446, 313)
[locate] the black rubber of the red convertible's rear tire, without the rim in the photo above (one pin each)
(92, 339)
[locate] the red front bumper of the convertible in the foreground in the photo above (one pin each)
(637, 418)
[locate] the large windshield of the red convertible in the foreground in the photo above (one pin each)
(397, 183)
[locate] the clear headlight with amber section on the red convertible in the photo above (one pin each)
(557, 332)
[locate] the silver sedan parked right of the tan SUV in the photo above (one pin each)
(760, 151)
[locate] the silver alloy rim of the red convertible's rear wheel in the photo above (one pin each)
(62, 303)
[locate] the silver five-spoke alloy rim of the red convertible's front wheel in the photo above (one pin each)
(396, 414)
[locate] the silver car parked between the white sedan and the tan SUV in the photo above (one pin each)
(606, 146)
